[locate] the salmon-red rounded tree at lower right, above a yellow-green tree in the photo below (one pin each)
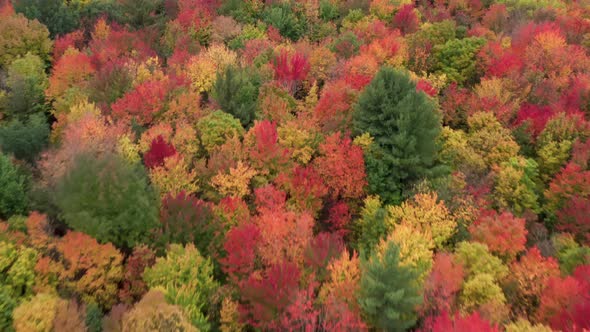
(504, 234)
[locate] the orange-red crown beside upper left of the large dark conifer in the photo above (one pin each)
(334, 108)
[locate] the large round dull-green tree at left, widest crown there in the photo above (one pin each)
(108, 199)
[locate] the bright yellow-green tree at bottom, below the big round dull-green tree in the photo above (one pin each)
(186, 279)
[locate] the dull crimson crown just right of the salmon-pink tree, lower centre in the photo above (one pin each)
(322, 249)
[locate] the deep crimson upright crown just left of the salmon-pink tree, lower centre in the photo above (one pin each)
(240, 247)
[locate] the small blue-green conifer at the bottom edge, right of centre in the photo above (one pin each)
(389, 293)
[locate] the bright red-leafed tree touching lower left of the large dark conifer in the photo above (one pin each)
(342, 167)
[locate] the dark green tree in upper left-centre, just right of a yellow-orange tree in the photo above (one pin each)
(236, 92)
